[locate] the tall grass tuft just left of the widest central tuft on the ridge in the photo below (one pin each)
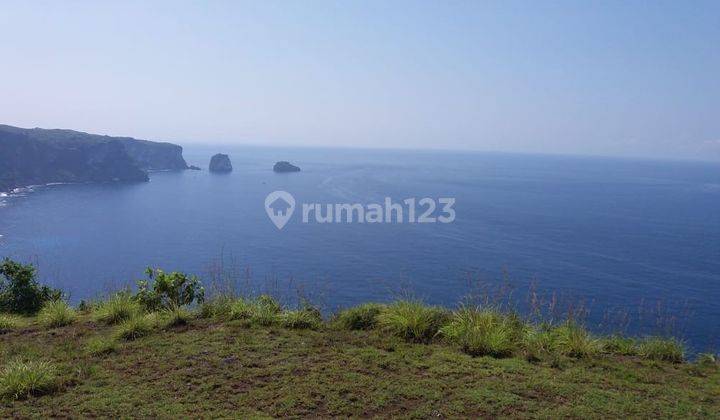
(412, 320)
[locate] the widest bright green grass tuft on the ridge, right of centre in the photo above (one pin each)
(483, 332)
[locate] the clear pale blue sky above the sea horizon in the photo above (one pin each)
(628, 78)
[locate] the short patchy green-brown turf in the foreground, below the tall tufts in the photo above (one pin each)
(215, 368)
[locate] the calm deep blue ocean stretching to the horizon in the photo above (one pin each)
(629, 245)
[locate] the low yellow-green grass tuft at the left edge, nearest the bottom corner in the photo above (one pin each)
(20, 379)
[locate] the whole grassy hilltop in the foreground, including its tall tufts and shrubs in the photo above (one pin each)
(147, 354)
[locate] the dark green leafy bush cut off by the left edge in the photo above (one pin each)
(20, 293)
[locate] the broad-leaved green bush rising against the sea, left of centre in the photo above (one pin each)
(169, 290)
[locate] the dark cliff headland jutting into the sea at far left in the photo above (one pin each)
(38, 156)
